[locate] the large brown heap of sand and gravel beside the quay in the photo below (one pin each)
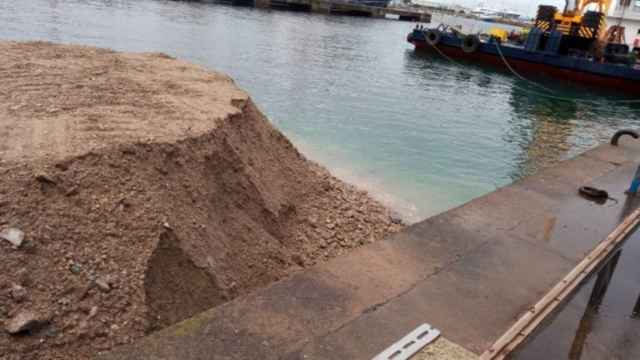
(147, 190)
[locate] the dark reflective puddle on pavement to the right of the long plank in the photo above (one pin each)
(611, 332)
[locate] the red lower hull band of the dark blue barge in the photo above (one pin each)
(627, 86)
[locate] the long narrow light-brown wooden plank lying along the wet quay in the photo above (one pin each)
(527, 324)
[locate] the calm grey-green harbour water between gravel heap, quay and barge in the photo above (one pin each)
(351, 93)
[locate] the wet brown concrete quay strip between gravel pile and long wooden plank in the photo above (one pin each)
(470, 272)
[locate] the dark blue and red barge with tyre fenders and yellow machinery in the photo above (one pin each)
(550, 47)
